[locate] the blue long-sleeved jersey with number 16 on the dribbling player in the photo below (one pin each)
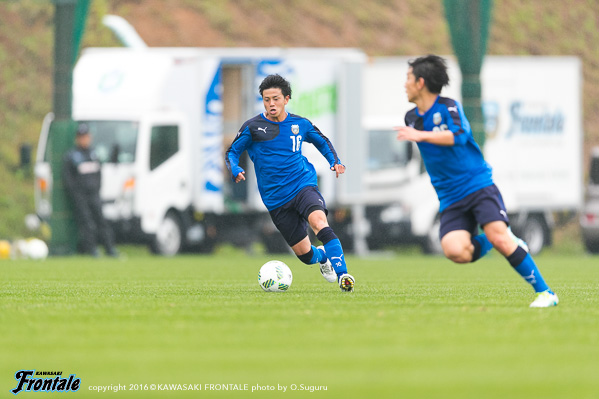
(275, 148)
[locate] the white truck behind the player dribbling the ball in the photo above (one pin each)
(162, 118)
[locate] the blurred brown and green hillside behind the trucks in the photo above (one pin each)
(379, 27)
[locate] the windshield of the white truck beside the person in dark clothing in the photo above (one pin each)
(114, 141)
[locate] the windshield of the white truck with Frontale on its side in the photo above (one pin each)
(385, 151)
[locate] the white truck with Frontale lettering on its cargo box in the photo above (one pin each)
(533, 122)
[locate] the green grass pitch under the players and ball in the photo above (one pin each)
(416, 327)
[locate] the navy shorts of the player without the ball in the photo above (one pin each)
(477, 209)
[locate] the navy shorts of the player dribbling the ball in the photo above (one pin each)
(291, 219)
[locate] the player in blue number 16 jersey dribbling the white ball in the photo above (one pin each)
(287, 181)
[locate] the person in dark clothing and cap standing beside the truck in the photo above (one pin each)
(82, 178)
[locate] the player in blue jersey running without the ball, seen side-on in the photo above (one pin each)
(461, 177)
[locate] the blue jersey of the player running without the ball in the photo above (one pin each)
(458, 170)
